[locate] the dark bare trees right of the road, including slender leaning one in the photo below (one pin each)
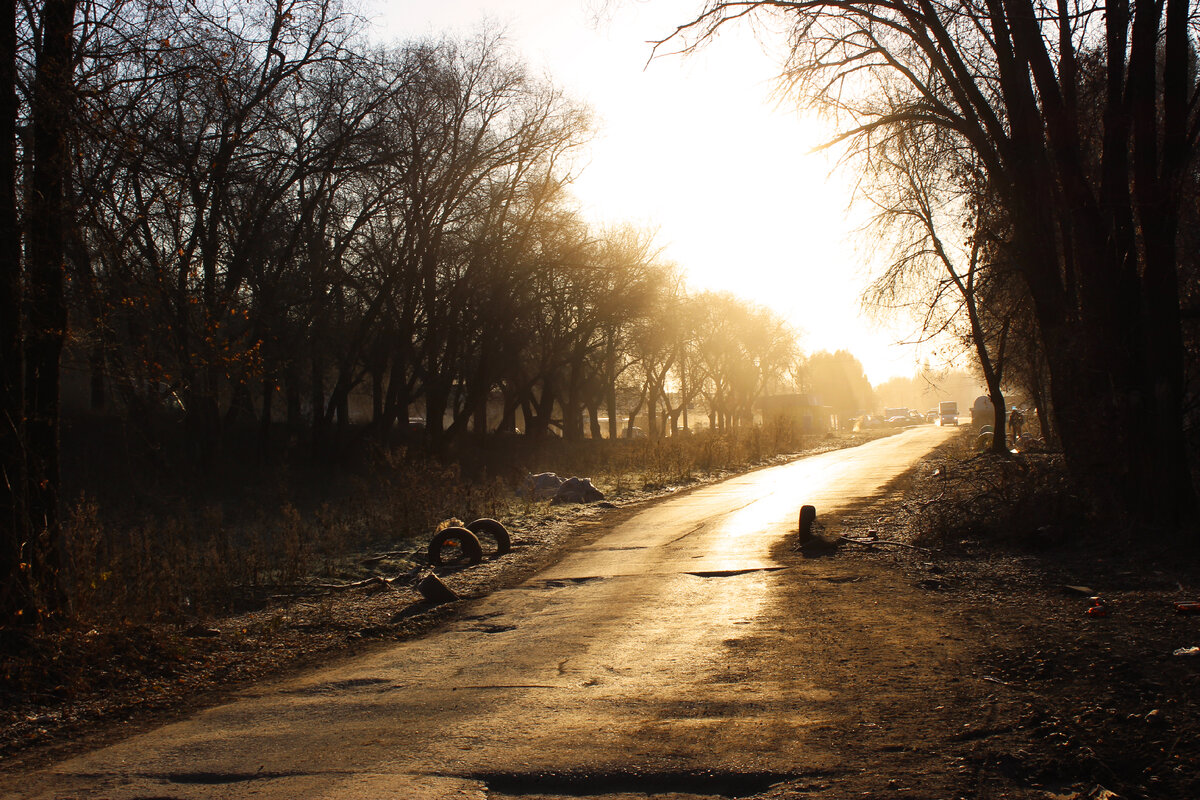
(1040, 160)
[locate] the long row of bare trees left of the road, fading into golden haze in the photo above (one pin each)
(239, 215)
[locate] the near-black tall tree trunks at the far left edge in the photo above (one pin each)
(35, 308)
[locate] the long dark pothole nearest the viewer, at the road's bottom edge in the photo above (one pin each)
(701, 784)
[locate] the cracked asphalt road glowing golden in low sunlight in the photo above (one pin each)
(647, 655)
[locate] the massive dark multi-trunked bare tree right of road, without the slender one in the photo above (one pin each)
(1095, 219)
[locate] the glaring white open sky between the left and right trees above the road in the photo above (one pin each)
(697, 149)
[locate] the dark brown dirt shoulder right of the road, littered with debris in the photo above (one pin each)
(973, 670)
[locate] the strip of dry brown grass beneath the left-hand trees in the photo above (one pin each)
(206, 552)
